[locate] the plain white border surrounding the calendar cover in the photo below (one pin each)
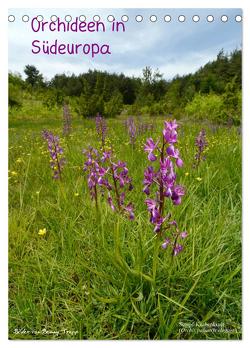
(4, 159)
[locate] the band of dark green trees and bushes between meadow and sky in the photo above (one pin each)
(199, 95)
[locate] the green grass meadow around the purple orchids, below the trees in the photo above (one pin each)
(100, 276)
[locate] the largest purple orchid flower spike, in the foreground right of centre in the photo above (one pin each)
(164, 180)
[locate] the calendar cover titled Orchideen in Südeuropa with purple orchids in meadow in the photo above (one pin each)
(125, 174)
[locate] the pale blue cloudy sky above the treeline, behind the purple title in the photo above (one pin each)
(172, 47)
